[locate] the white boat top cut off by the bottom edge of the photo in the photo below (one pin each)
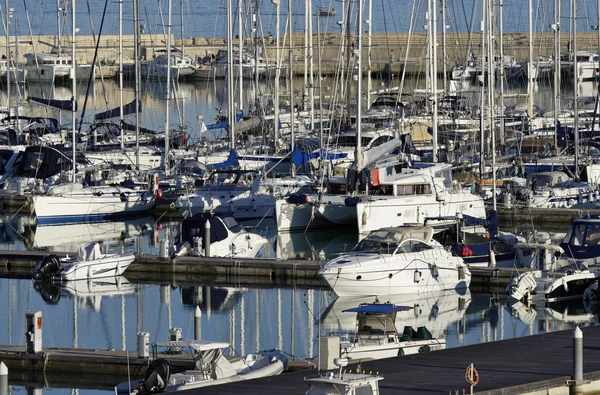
(343, 383)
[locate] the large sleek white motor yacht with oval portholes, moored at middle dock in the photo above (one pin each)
(396, 261)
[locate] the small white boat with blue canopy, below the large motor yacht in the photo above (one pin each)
(376, 335)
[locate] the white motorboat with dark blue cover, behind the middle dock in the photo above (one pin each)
(227, 238)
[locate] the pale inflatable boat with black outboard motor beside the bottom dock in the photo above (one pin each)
(211, 367)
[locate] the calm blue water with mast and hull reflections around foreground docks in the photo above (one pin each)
(108, 316)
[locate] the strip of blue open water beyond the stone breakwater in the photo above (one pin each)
(208, 18)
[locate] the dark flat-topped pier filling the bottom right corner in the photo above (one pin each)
(532, 364)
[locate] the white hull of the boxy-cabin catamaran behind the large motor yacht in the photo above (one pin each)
(376, 213)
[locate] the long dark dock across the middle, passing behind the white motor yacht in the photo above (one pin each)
(261, 272)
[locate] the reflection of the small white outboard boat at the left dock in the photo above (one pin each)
(88, 292)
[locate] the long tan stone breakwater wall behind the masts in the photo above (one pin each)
(388, 51)
